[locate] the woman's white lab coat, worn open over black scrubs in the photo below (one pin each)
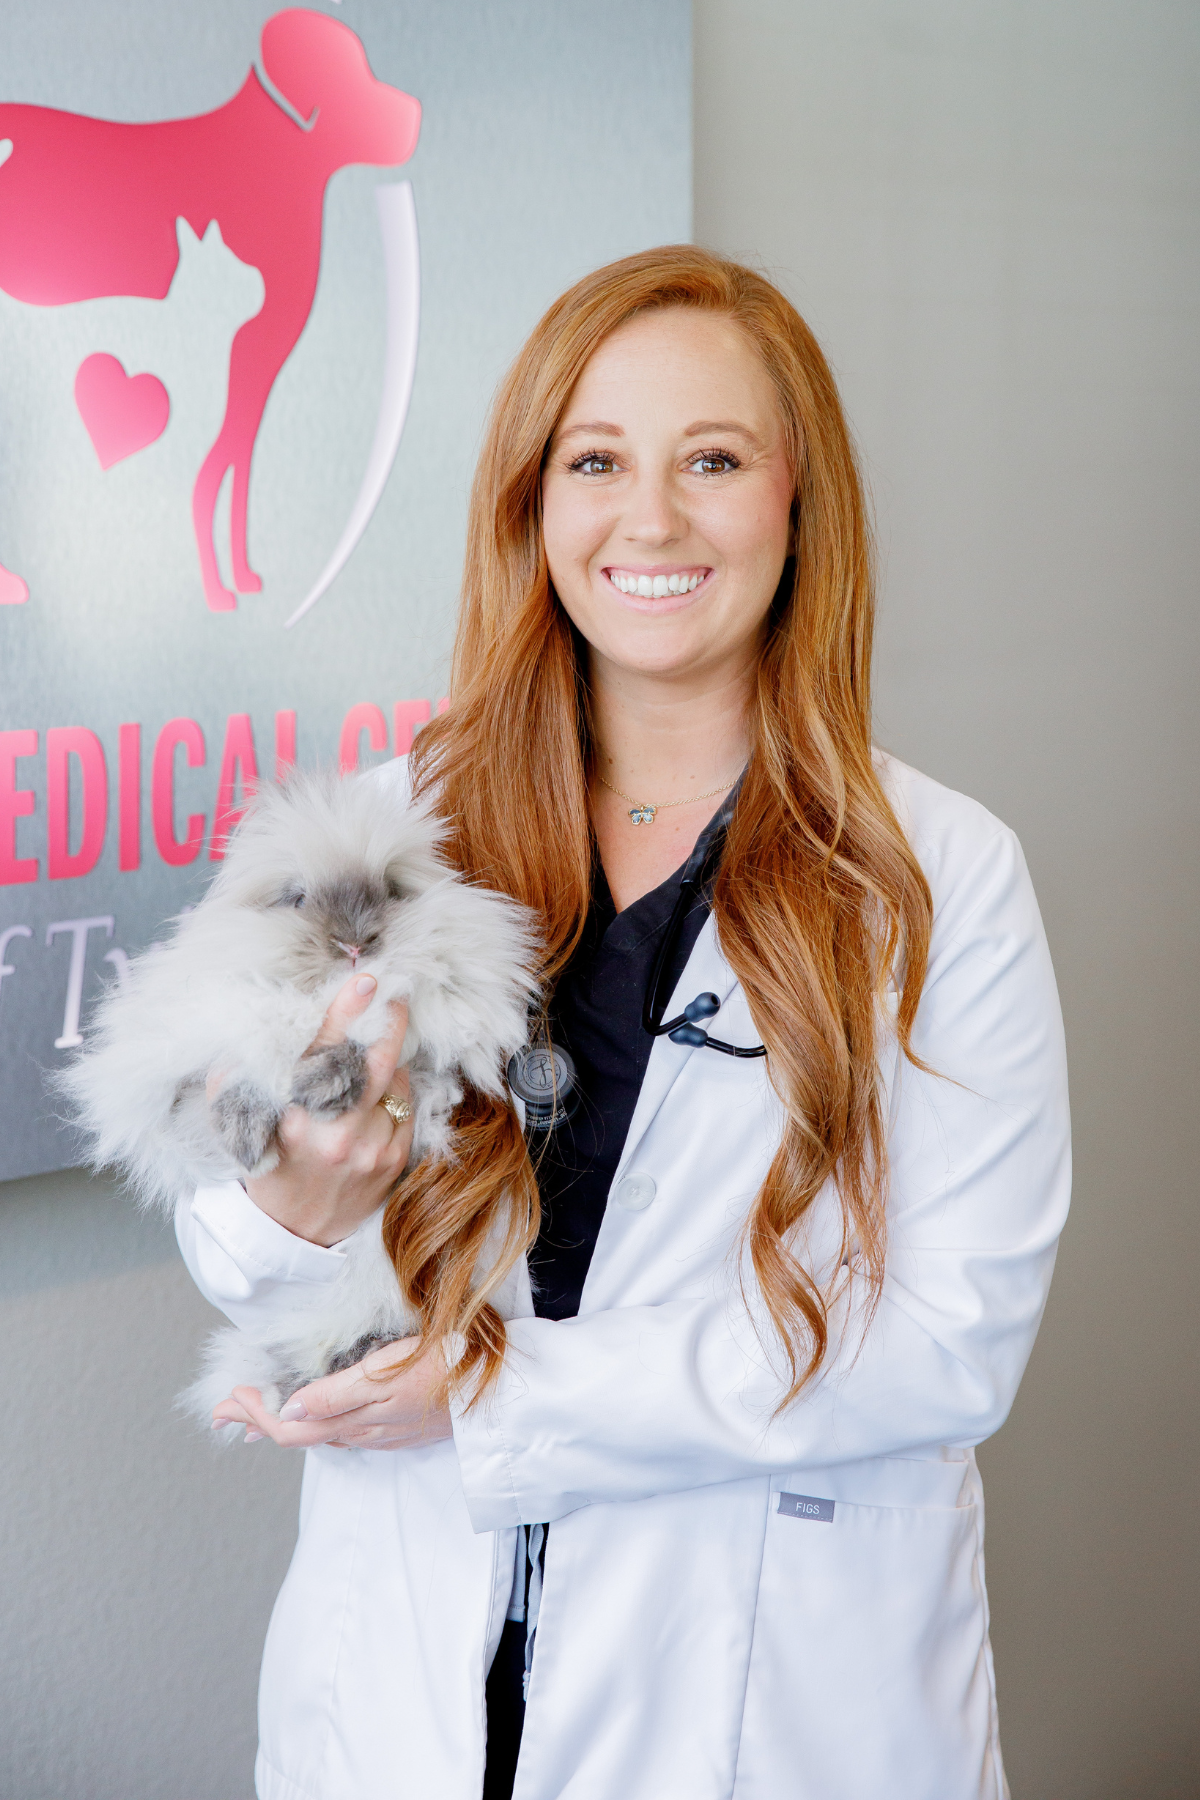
(701, 1637)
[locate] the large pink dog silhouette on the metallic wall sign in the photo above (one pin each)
(89, 210)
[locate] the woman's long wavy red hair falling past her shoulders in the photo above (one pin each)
(819, 897)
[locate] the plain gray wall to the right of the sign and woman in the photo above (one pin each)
(989, 215)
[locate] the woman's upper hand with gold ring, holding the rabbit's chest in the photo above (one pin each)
(334, 1173)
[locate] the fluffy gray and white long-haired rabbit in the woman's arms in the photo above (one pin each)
(321, 879)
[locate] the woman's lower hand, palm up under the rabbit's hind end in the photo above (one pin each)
(361, 1408)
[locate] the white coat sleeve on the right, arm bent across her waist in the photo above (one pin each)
(641, 1401)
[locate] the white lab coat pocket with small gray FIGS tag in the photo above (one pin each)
(888, 1606)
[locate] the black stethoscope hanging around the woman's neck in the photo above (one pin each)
(544, 1075)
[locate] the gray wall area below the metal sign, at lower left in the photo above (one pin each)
(138, 1561)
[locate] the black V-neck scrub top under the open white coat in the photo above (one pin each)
(596, 1016)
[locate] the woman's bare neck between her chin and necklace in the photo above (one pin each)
(663, 741)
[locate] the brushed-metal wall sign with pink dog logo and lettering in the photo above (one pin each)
(240, 399)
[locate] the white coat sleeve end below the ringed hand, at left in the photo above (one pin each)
(246, 1263)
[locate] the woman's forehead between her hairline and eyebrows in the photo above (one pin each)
(676, 366)
